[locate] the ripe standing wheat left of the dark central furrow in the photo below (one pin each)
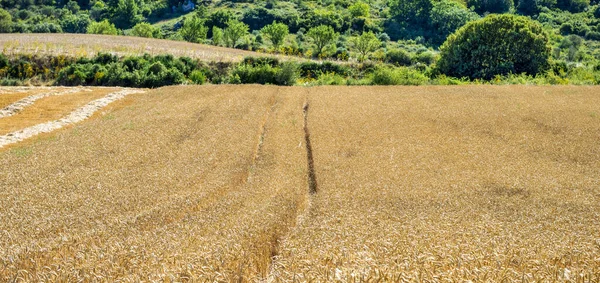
(185, 183)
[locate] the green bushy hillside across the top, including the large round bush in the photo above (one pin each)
(417, 34)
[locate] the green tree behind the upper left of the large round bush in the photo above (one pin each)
(447, 16)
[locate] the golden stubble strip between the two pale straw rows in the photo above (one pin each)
(49, 109)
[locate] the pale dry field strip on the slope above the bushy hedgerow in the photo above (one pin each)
(88, 45)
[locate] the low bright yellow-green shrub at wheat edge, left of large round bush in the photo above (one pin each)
(398, 76)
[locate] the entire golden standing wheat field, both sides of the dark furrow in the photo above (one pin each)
(293, 184)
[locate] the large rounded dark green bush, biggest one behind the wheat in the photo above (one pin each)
(495, 45)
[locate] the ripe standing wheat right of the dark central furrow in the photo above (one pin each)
(480, 184)
